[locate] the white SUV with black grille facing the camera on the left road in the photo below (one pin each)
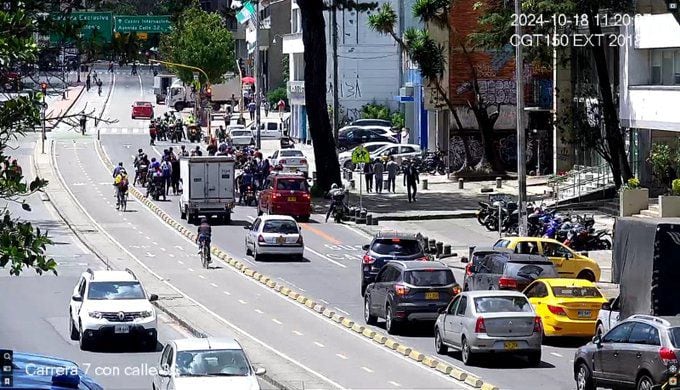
(111, 304)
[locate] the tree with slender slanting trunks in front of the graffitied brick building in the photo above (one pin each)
(428, 54)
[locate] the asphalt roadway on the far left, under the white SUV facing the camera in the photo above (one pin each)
(35, 308)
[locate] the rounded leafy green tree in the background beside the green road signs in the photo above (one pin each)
(199, 39)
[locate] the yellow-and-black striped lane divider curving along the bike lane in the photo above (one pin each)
(346, 322)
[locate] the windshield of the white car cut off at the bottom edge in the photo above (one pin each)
(225, 362)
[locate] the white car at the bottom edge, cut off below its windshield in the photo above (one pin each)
(206, 364)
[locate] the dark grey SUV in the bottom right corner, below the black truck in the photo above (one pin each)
(639, 352)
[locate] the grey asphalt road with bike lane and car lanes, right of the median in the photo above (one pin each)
(329, 272)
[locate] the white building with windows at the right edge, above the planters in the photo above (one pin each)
(650, 85)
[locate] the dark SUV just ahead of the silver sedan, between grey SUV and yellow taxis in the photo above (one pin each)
(509, 271)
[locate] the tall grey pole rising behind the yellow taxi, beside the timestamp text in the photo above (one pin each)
(521, 135)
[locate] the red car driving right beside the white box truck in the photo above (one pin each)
(285, 194)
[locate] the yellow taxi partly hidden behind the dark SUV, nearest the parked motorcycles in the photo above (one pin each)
(569, 264)
